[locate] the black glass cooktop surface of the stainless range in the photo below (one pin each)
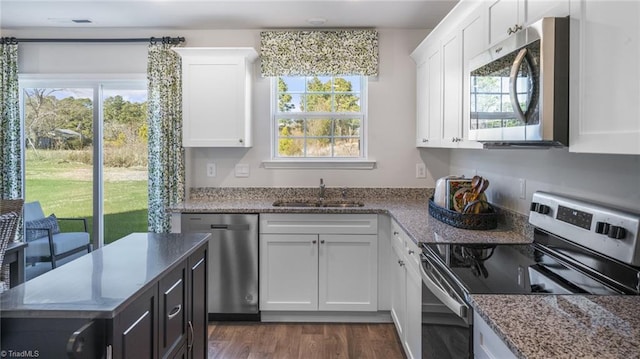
(550, 265)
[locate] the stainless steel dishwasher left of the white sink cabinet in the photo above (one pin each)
(233, 263)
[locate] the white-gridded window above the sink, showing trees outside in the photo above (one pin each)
(319, 117)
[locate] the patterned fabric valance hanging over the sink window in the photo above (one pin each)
(316, 53)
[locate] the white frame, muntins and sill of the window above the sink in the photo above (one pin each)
(360, 161)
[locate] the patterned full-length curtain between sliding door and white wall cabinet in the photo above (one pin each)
(166, 155)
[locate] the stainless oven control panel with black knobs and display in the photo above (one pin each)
(612, 232)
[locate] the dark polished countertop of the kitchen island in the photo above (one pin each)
(98, 284)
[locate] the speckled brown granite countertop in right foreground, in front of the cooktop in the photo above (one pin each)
(564, 326)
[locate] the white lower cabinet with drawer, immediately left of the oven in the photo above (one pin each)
(406, 295)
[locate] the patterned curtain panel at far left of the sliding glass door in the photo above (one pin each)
(10, 149)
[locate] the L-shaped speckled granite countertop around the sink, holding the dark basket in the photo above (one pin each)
(409, 207)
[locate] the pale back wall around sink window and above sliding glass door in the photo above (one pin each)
(391, 100)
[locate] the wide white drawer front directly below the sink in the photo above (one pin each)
(319, 223)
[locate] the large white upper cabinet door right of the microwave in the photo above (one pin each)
(605, 77)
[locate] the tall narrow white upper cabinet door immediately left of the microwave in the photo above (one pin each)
(451, 91)
